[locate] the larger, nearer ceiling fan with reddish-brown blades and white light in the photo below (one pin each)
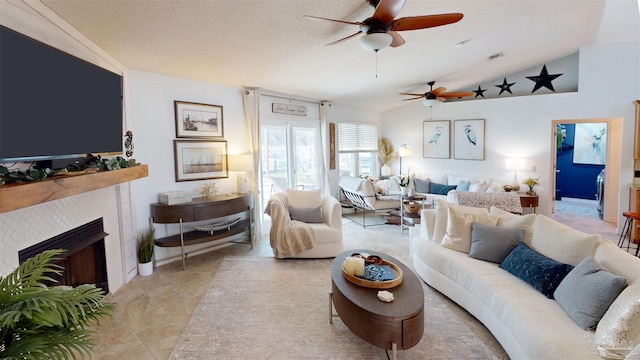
(381, 30)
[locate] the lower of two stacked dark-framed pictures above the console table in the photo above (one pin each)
(200, 159)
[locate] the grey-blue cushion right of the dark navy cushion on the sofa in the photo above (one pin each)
(587, 291)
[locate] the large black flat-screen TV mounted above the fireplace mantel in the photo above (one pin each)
(54, 105)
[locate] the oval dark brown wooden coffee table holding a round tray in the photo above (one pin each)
(399, 323)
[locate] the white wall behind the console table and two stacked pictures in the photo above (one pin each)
(151, 113)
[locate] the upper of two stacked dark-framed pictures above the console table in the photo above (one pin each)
(195, 120)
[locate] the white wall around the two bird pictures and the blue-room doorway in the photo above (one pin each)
(521, 126)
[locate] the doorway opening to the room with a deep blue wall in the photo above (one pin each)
(586, 166)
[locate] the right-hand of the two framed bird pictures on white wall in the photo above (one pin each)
(468, 139)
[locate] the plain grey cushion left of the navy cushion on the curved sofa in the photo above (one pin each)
(493, 243)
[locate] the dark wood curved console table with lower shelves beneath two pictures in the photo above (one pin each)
(204, 209)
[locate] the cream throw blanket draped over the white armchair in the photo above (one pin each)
(287, 237)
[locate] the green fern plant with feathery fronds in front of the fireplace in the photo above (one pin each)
(47, 322)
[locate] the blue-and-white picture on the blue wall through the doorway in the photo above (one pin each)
(590, 144)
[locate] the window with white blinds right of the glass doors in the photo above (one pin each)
(357, 149)
